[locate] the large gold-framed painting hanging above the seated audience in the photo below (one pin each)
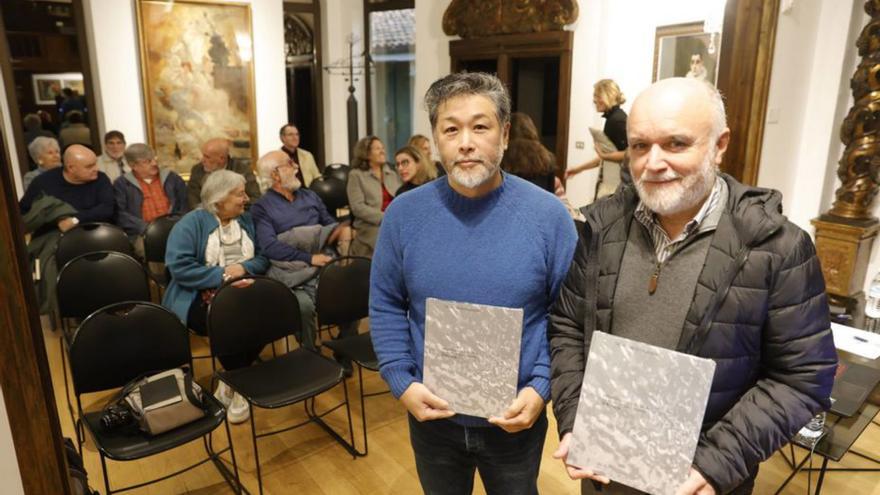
(198, 78)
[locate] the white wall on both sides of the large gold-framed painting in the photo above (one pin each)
(113, 45)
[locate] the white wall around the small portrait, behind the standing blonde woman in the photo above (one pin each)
(611, 42)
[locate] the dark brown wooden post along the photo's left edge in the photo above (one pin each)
(24, 370)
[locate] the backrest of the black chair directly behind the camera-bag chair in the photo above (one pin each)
(94, 280)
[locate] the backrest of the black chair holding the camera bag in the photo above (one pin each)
(122, 341)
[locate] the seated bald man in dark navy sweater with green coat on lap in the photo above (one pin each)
(56, 201)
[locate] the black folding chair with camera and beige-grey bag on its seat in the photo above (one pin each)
(119, 343)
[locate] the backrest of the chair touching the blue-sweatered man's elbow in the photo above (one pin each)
(343, 293)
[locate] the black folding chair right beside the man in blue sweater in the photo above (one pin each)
(343, 296)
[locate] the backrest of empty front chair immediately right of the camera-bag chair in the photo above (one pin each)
(250, 317)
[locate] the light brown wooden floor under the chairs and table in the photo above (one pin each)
(306, 461)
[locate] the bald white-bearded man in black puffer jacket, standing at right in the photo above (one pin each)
(689, 259)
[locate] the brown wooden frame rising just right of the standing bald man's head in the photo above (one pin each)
(749, 36)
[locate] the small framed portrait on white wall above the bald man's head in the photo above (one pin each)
(686, 50)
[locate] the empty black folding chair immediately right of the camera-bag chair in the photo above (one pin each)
(243, 320)
